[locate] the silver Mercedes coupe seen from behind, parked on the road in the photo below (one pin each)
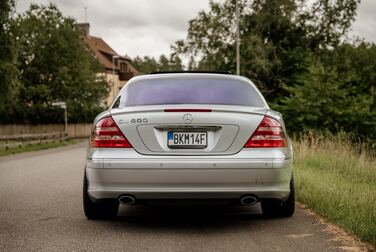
(187, 137)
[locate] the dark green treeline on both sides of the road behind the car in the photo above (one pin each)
(296, 51)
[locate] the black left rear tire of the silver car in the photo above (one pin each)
(107, 209)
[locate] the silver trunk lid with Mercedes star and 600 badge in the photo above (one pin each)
(227, 128)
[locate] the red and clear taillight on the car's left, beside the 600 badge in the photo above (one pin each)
(106, 134)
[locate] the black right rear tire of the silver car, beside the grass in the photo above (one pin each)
(278, 208)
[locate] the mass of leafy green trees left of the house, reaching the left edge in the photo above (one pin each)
(43, 60)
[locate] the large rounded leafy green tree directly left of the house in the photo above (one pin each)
(55, 63)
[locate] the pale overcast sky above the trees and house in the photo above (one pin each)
(149, 27)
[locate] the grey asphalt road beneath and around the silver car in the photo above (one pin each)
(41, 210)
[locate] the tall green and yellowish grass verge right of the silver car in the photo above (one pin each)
(338, 181)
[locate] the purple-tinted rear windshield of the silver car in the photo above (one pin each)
(195, 90)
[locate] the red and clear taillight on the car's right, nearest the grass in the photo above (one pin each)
(269, 134)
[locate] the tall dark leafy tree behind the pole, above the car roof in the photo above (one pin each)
(277, 36)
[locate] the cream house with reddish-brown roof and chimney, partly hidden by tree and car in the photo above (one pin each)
(117, 69)
